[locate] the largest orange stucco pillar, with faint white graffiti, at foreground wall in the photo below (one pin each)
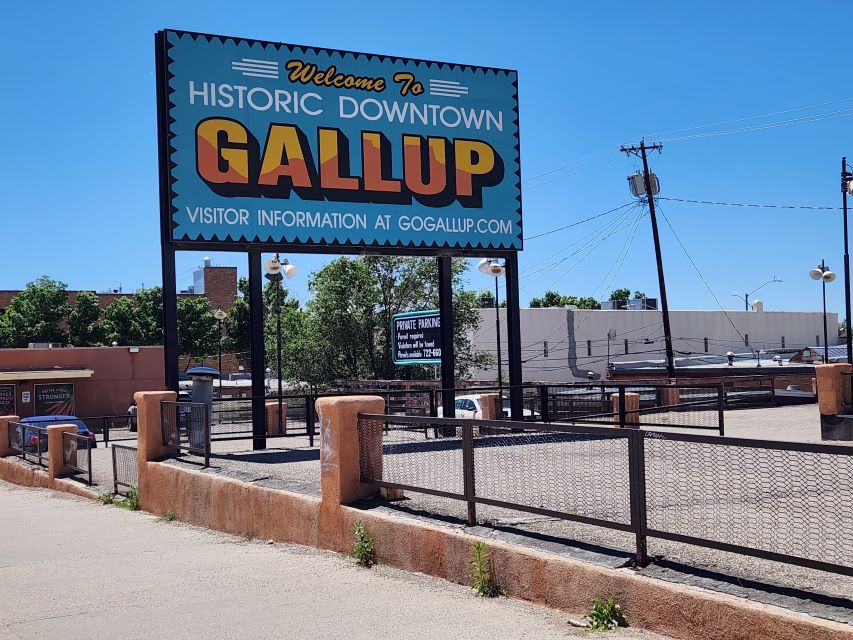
(340, 477)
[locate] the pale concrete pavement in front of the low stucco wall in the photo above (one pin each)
(74, 569)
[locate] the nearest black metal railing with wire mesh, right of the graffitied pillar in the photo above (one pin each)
(784, 501)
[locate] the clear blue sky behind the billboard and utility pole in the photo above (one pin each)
(80, 172)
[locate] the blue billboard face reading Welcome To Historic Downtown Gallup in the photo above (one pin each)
(286, 145)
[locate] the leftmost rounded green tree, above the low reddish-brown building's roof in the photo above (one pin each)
(35, 314)
